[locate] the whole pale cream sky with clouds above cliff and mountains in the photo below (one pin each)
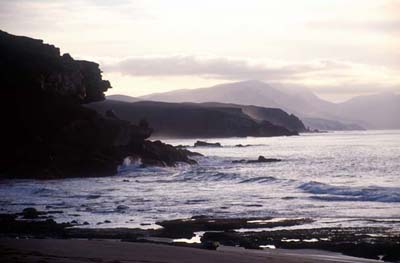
(337, 48)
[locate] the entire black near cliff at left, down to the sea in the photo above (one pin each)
(46, 132)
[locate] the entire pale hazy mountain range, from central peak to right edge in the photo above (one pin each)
(372, 112)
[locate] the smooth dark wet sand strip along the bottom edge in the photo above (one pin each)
(73, 250)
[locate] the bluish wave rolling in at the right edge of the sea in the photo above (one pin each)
(343, 193)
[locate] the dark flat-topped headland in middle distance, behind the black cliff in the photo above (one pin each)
(190, 120)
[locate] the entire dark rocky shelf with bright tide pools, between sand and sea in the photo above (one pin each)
(211, 233)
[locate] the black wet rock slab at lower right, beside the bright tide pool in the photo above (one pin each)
(359, 242)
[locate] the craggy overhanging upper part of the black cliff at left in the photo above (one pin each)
(29, 64)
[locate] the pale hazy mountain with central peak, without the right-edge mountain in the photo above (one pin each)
(252, 92)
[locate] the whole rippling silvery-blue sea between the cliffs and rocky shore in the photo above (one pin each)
(338, 178)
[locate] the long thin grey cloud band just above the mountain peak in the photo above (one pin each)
(225, 68)
